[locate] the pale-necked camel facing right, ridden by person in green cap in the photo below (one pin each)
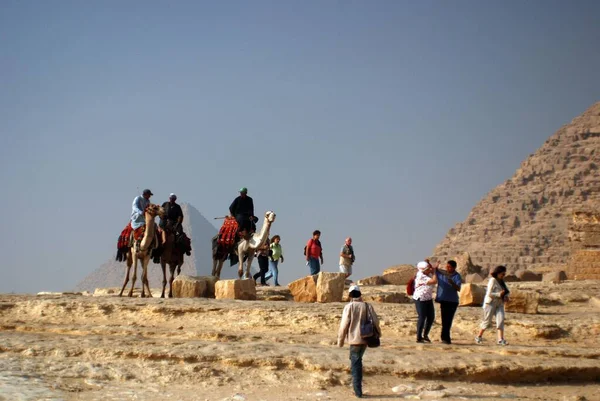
(243, 248)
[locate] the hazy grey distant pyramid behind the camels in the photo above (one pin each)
(200, 230)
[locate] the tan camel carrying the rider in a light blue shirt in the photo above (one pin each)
(142, 251)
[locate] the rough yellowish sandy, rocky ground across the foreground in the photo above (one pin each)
(73, 347)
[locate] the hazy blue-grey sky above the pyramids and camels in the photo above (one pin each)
(386, 121)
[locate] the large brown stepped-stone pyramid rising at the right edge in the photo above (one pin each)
(523, 222)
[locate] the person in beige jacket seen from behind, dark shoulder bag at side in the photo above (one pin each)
(354, 316)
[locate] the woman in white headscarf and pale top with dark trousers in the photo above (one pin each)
(423, 296)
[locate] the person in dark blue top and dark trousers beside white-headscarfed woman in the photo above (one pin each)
(449, 282)
